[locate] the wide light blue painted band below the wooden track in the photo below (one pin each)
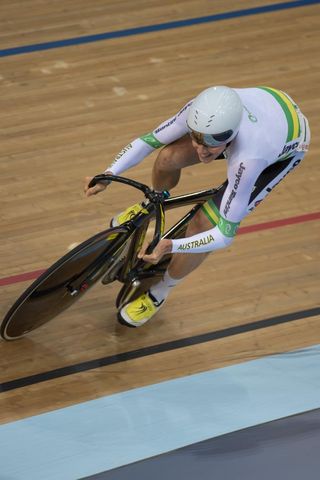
(99, 435)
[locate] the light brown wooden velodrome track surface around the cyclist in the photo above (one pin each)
(66, 112)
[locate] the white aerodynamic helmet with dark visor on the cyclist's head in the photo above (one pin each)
(214, 116)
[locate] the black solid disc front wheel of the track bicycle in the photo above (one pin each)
(65, 282)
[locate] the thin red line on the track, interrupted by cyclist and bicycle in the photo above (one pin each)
(308, 217)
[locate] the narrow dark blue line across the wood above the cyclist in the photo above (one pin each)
(154, 28)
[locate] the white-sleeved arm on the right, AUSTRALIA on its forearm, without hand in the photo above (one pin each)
(233, 208)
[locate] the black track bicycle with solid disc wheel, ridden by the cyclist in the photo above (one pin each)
(107, 256)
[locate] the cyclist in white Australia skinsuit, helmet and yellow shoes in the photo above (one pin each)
(262, 135)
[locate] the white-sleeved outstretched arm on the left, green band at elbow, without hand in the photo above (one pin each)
(169, 131)
